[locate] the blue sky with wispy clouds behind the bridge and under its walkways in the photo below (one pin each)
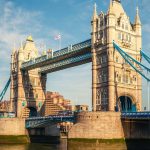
(71, 18)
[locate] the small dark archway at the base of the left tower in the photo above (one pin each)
(29, 112)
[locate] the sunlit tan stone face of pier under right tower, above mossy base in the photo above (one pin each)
(99, 125)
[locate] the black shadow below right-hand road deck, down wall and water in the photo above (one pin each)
(137, 131)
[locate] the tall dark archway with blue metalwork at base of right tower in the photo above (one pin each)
(126, 104)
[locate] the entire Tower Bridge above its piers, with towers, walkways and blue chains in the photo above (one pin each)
(115, 50)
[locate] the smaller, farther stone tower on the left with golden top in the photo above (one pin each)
(28, 88)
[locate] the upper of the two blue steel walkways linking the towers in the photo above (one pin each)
(69, 52)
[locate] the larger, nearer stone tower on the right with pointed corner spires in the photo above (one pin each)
(115, 85)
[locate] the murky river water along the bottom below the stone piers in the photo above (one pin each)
(77, 146)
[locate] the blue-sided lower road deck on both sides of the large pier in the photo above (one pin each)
(35, 122)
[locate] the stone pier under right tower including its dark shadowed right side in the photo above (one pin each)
(108, 125)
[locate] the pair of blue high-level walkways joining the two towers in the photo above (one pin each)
(70, 56)
